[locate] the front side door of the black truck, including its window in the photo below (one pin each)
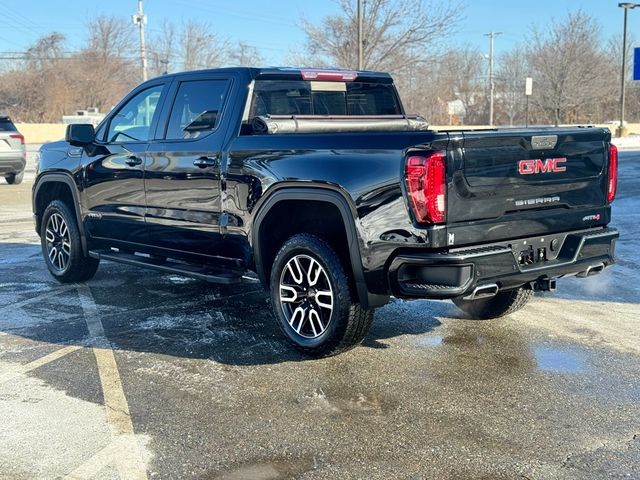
(113, 175)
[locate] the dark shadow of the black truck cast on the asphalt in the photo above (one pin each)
(145, 311)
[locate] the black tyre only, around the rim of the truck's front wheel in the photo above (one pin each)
(80, 267)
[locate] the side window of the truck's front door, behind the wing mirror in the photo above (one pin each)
(133, 121)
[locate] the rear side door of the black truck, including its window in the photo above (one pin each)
(182, 172)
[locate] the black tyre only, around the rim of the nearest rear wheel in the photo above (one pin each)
(348, 323)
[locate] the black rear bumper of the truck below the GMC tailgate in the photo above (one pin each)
(507, 265)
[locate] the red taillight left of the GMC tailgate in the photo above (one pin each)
(426, 177)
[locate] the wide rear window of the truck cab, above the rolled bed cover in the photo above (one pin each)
(300, 97)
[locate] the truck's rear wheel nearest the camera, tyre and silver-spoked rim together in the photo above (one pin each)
(312, 299)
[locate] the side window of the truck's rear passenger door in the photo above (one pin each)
(197, 109)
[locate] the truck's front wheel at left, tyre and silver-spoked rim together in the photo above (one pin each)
(62, 247)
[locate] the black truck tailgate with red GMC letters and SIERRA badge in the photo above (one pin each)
(514, 174)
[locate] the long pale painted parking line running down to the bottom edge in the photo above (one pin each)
(124, 450)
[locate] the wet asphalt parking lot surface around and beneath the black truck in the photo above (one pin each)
(137, 374)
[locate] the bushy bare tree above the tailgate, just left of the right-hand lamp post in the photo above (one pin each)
(571, 72)
